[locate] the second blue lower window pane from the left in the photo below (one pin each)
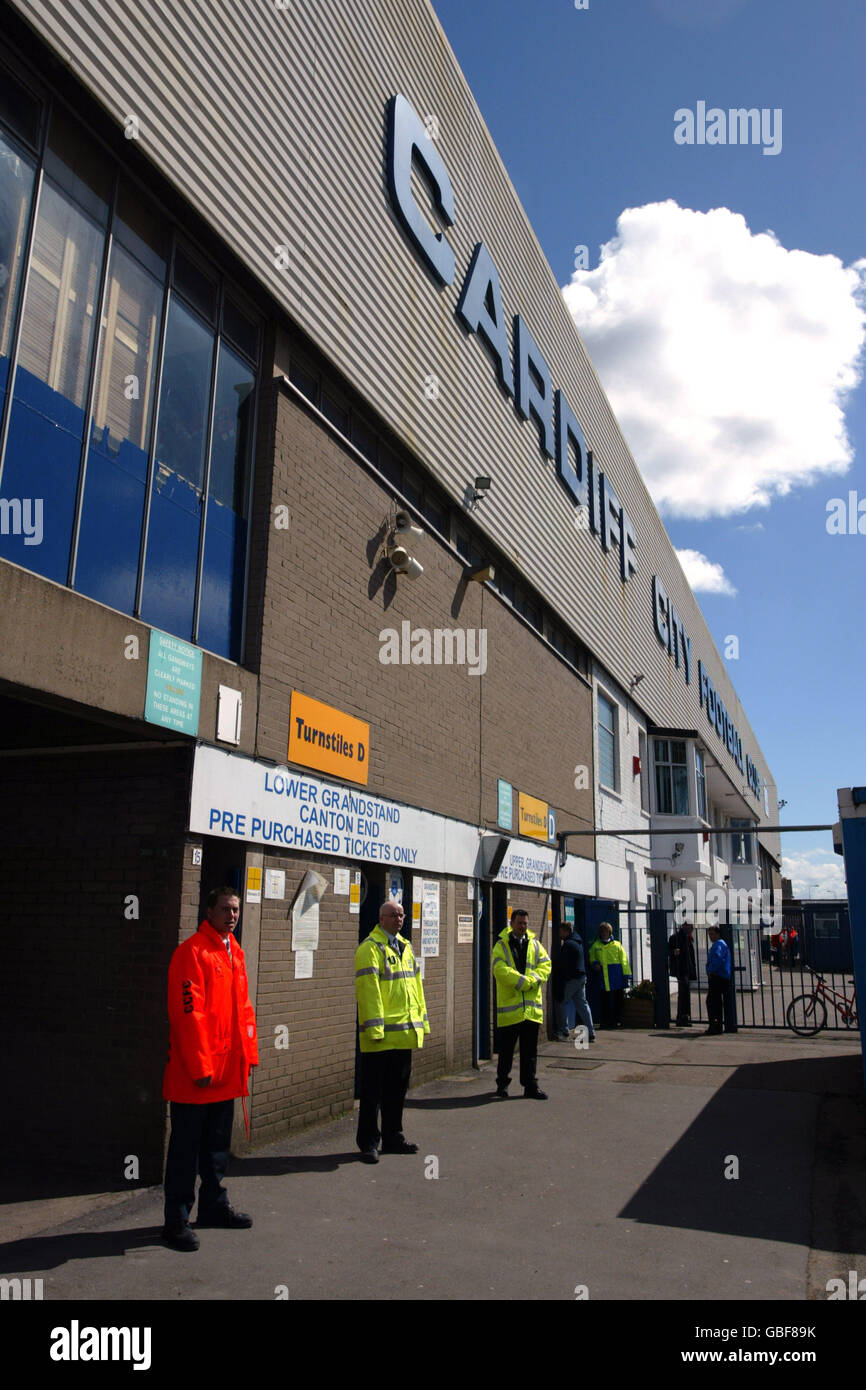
(112, 522)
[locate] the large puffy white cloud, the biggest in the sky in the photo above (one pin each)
(728, 358)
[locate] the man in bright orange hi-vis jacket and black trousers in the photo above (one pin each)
(212, 1047)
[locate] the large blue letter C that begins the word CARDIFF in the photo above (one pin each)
(407, 141)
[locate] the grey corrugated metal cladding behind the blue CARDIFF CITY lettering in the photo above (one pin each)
(272, 122)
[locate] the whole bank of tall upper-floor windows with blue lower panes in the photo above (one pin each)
(133, 394)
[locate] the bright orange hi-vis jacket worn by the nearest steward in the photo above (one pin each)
(212, 1027)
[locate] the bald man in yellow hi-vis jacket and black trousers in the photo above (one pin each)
(391, 1021)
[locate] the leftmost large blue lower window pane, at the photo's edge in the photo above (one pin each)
(42, 461)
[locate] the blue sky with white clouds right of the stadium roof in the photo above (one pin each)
(732, 359)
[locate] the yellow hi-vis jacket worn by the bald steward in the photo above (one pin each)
(391, 1008)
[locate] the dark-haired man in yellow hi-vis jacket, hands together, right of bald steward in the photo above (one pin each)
(521, 967)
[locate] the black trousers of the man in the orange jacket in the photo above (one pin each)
(201, 1143)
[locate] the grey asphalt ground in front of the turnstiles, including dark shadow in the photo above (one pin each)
(662, 1167)
